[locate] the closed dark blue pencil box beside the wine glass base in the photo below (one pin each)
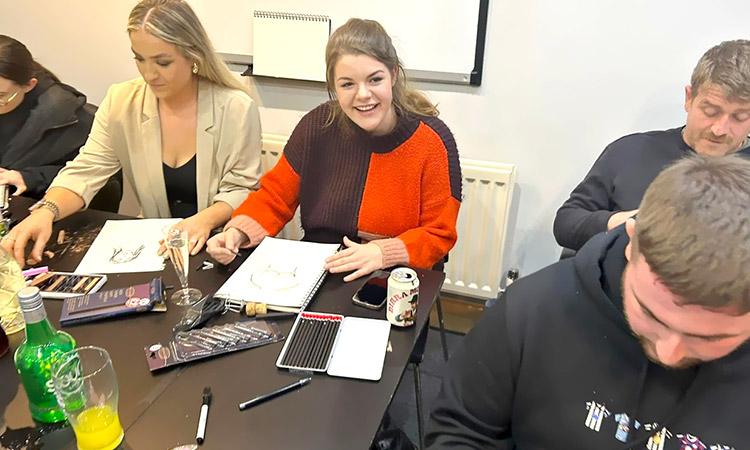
(114, 303)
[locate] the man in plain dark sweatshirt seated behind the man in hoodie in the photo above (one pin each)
(717, 103)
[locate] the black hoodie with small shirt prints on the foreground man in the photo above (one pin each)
(553, 365)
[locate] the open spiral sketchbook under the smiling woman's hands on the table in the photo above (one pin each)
(281, 273)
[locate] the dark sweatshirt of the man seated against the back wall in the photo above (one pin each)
(617, 182)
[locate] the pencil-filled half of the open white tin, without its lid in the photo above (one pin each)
(311, 342)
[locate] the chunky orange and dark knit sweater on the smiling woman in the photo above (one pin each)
(401, 191)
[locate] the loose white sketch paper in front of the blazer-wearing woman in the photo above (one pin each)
(126, 246)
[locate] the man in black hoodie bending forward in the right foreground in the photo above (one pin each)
(639, 342)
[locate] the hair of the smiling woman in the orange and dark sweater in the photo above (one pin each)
(368, 37)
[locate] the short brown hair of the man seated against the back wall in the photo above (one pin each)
(727, 66)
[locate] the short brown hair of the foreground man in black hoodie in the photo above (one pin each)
(693, 229)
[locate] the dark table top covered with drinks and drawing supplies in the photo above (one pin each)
(160, 410)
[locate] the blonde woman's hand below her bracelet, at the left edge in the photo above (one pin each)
(37, 227)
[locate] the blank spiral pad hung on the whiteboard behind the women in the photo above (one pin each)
(287, 45)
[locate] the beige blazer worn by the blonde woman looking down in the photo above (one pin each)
(126, 133)
